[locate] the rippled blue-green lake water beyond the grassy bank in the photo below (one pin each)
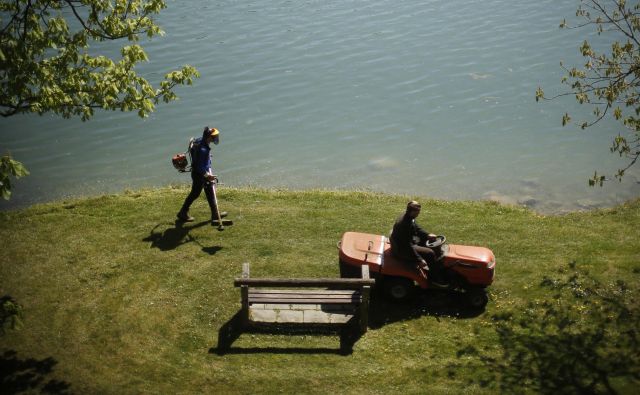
(426, 98)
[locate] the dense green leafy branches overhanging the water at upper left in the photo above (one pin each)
(46, 65)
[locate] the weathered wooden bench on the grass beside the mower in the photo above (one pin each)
(312, 302)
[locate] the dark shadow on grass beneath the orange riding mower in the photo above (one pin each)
(435, 303)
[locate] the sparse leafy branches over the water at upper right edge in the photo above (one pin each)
(609, 81)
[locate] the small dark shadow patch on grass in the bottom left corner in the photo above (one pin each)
(29, 375)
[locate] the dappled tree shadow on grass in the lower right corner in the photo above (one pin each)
(583, 337)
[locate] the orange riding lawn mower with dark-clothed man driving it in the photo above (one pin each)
(465, 269)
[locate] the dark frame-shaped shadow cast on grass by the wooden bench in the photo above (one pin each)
(235, 327)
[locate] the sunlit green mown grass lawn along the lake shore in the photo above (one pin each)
(117, 299)
